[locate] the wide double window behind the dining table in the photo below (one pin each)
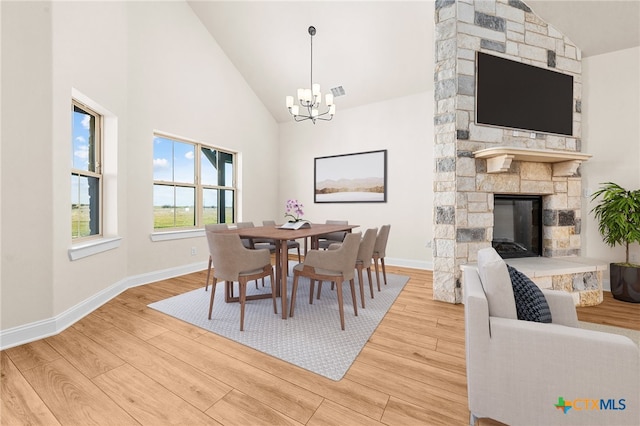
(193, 184)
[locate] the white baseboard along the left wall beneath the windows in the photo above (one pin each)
(41, 329)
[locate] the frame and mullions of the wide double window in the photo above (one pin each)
(197, 185)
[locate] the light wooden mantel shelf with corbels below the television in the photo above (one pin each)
(565, 163)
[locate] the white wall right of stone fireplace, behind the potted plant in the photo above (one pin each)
(611, 133)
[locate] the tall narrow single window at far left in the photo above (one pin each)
(86, 173)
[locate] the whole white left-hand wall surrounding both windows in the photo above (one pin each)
(153, 66)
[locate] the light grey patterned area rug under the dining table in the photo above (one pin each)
(311, 339)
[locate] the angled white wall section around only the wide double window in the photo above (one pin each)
(182, 83)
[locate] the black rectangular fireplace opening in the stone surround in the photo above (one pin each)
(517, 225)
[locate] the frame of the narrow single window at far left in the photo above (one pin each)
(98, 154)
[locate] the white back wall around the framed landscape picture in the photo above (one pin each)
(402, 126)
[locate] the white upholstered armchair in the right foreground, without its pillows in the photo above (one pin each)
(519, 372)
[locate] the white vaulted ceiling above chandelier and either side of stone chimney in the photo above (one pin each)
(375, 50)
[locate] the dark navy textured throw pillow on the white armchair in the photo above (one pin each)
(531, 305)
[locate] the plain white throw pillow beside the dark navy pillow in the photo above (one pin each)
(496, 283)
